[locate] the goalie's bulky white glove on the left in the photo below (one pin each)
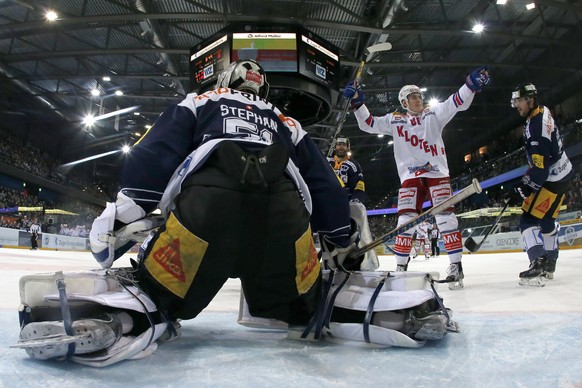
(118, 228)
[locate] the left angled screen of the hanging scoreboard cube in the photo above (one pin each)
(208, 62)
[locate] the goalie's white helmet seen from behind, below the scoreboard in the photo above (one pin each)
(244, 75)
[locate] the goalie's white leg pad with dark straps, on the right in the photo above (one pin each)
(394, 298)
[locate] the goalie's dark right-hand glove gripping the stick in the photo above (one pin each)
(334, 257)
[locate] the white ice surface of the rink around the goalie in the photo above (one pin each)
(511, 336)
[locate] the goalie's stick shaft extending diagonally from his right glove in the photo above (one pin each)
(473, 188)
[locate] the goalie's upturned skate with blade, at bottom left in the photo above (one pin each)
(47, 339)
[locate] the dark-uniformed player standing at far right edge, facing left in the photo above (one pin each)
(542, 188)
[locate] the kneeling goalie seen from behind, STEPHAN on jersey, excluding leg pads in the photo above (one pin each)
(212, 163)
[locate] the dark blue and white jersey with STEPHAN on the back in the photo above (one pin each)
(186, 133)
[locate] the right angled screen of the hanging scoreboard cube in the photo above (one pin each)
(318, 62)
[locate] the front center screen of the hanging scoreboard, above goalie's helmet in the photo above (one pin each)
(276, 52)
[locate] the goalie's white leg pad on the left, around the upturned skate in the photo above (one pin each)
(90, 294)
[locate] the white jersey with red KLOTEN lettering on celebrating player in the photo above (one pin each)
(419, 149)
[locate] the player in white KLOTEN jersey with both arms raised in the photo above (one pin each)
(420, 155)
